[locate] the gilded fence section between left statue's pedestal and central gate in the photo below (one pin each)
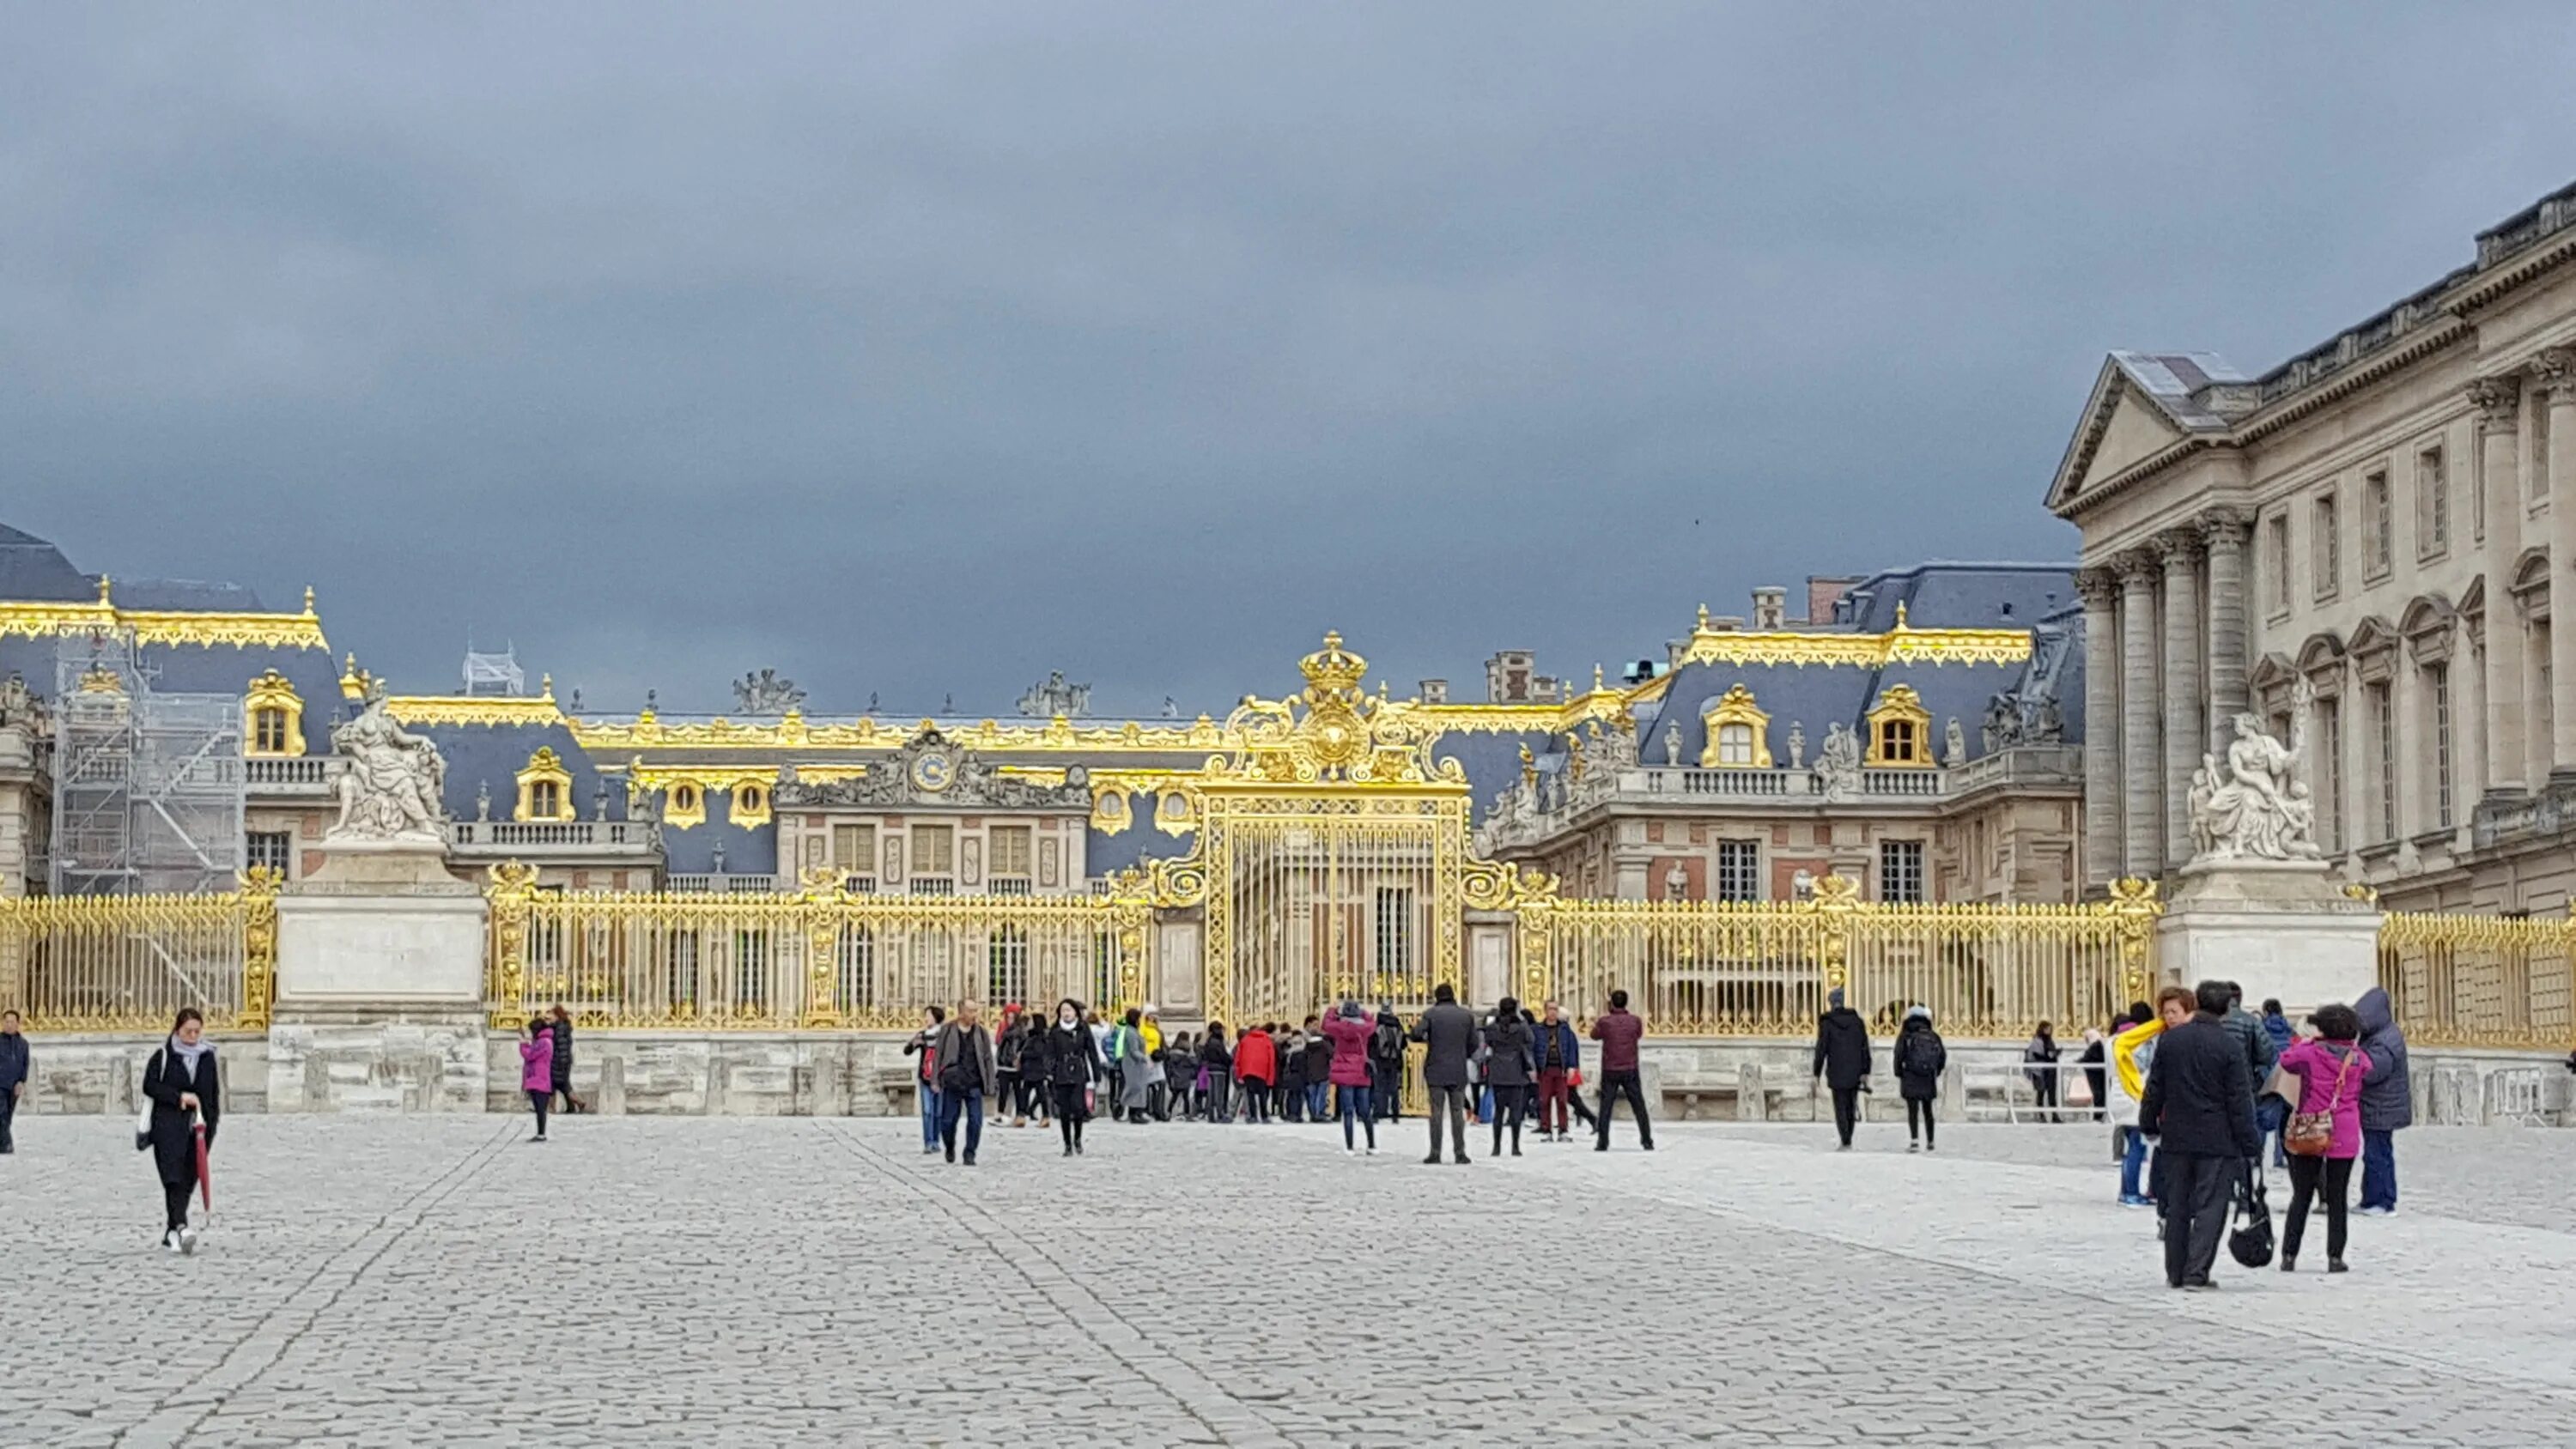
(820, 959)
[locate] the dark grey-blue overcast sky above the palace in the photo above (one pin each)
(931, 349)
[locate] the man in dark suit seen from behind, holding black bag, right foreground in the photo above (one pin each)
(2201, 1111)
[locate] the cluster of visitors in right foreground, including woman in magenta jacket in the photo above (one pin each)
(2204, 1093)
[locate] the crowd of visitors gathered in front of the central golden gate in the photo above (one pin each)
(1503, 1069)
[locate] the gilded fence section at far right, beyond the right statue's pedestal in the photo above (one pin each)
(2482, 982)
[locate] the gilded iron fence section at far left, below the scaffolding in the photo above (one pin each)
(128, 964)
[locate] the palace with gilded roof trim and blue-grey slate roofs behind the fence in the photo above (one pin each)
(1915, 737)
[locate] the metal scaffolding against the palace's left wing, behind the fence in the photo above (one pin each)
(148, 786)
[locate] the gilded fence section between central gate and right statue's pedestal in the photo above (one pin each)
(1761, 969)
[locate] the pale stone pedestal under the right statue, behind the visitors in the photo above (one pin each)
(2278, 928)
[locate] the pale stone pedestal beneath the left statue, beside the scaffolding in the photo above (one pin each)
(380, 984)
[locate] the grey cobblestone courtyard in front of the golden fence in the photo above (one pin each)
(434, 1280)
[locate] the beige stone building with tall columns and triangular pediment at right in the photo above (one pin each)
(2358, 549)
